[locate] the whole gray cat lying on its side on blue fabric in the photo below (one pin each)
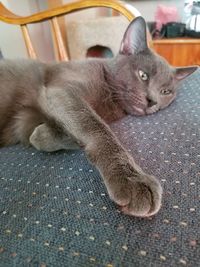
(68, 105)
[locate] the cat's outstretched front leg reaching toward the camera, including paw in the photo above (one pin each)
(138, 194)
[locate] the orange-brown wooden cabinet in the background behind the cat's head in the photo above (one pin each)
(179, 51)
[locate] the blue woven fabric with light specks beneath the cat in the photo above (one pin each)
(55, 210)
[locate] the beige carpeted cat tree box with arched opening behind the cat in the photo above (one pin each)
(106, 32)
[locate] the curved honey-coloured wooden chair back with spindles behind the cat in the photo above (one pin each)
(52, 15)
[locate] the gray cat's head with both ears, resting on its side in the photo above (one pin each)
(150, 82)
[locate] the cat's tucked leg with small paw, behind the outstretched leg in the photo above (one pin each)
(45, 139)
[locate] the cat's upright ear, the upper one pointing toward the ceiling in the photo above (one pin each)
(135, 37)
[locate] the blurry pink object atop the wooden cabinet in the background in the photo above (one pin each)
(165, 14)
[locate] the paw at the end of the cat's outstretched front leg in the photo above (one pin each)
(137, 196)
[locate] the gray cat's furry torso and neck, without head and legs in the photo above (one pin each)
(21, 82)
